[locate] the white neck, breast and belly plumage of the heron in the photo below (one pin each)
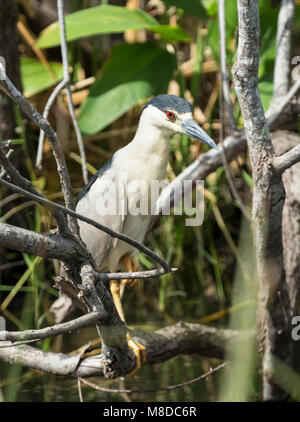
(143, 160)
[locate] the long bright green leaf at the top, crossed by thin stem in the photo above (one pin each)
(102, 19)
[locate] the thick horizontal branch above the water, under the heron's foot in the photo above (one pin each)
(161, 345)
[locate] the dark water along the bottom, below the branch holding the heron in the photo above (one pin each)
(31, 386)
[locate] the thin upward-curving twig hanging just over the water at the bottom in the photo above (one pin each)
(154, 390)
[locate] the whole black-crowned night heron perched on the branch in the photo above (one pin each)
(144, 159)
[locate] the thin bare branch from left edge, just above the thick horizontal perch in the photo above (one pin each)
(55, 330)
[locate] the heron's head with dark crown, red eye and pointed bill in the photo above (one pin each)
(173, 114)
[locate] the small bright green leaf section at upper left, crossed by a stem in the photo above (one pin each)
(36, 78)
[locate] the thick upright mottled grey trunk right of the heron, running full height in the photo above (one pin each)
(268, 201)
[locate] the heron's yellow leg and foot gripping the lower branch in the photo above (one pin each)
(138, 349)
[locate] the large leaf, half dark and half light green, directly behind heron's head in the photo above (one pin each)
(134, 72)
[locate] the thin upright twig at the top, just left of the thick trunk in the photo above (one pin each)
(223, 63)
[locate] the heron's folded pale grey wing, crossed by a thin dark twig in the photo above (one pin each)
(99, 202)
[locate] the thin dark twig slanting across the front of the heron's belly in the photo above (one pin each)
(123, 237)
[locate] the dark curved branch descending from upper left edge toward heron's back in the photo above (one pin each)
(35, 116)
